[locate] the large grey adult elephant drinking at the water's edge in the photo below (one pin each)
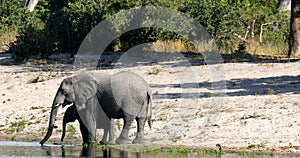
(123, 95)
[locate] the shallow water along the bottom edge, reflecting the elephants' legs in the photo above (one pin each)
(34, 149)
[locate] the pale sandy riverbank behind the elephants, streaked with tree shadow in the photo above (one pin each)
(259, 106)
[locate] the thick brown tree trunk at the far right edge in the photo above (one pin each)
(294, 44)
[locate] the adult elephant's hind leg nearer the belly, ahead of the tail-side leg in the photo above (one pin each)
(128, 119)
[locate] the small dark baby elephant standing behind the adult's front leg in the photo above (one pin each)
(108, 125)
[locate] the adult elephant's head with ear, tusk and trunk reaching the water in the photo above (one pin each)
(77, 89)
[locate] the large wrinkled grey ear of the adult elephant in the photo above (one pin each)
(85, 87)
